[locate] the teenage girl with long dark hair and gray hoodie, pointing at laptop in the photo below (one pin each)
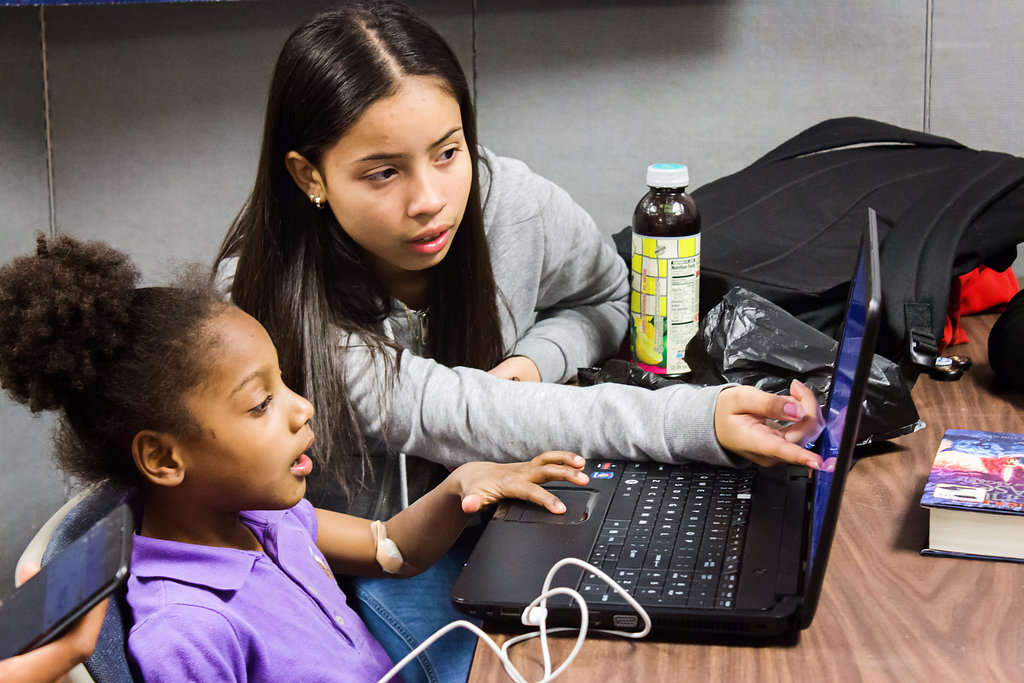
(406, 274)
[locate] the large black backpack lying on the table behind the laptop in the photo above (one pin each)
(788, 227)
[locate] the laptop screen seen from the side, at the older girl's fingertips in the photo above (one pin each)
(864, 296)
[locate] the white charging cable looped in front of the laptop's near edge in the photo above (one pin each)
(536, 614)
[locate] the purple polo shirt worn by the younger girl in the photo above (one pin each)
(205, 614)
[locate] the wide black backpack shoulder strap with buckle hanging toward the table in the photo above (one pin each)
(924, 246)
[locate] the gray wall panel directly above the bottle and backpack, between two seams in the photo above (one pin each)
(591, 94)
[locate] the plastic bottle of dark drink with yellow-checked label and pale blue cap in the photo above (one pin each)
(666, 272)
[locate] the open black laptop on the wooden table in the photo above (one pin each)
(704, 549)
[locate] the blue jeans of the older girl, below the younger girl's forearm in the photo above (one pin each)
(403, 613)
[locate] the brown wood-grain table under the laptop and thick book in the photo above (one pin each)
(887, 614)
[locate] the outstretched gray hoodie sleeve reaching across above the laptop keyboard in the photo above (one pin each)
(456, 415)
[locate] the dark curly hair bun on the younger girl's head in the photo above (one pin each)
(63, 317)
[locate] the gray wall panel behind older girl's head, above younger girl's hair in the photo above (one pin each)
(158, 118)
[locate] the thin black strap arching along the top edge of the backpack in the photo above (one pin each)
(835, 134)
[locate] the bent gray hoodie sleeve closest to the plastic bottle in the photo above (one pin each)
(564, 286)
